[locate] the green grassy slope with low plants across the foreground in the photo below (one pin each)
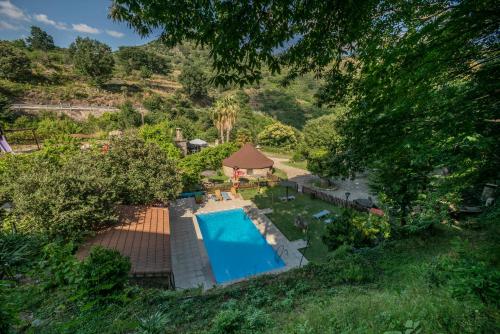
(373, 291)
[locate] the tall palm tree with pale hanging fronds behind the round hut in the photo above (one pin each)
(224, 115)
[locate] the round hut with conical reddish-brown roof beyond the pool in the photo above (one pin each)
(247, 162)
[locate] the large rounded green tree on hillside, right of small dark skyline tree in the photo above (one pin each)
(92, 59)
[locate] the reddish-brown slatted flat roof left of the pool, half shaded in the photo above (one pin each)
(143, 235)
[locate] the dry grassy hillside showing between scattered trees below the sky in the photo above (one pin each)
(55, 81)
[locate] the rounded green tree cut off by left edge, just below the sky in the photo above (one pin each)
(14, 64)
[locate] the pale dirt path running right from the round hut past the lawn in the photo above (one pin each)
(358, 188)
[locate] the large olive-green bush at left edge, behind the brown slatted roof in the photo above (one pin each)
(64, 198)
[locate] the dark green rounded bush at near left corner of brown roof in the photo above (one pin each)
(102, 274)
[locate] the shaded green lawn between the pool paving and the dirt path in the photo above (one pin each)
(284, 214)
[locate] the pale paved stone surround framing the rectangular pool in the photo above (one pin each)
(190, 261)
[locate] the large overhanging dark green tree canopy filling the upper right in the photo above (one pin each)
(418, 79)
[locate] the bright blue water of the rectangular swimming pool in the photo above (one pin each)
(235, 247)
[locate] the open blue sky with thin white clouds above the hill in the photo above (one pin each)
(65, 20)
